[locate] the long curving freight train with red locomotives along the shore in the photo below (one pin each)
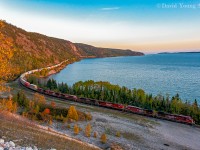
(89, 101)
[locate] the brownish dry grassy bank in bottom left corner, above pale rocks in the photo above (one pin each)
(26, 134)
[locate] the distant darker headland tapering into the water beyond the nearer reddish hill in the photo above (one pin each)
(91, 51)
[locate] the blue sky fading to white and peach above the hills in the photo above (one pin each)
(149, 26)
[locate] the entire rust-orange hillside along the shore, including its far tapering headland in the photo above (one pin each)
(34, 50)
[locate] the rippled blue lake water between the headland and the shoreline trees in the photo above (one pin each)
(159, 73)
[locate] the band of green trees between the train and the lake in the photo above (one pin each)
(136, 97)
